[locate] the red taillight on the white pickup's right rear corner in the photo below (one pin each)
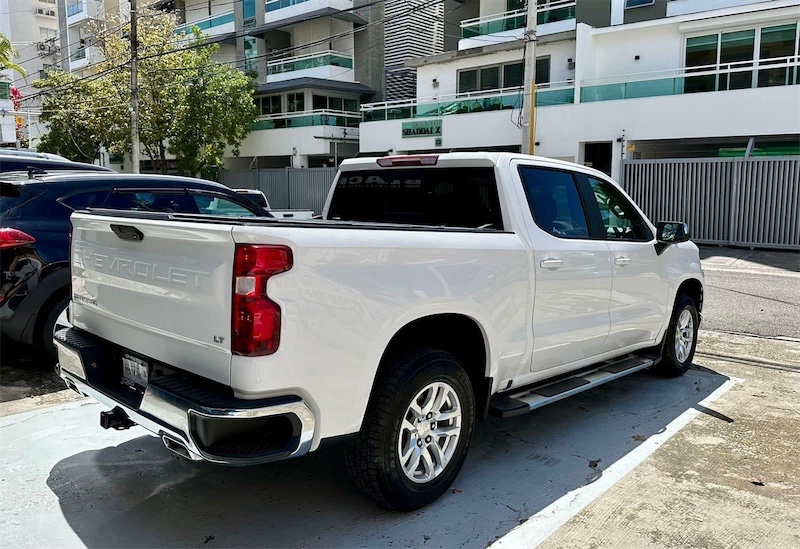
(256, 322)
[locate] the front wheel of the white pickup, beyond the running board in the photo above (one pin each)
(680, 341)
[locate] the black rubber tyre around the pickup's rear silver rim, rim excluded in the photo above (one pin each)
(372, 460)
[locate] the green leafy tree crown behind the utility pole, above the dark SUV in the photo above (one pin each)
(189, 106)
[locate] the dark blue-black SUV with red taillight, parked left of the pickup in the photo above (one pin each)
(35, 228)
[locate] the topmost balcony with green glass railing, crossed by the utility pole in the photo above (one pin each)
(555, 17)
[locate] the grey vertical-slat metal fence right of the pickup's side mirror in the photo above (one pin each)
(732, 201)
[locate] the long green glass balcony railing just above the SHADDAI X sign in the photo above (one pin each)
(494, 100)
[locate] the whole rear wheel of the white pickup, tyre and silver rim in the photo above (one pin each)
(416, 431)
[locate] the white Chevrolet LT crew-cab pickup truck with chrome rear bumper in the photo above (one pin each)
(434, 291)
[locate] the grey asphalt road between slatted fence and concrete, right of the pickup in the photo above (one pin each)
(752, 303)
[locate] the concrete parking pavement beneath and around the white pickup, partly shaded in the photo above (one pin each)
(66, 482)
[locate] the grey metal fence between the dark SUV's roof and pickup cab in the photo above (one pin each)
(286, 188)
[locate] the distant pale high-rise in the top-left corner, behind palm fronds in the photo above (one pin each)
(32, 28)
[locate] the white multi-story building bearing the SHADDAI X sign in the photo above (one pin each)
(614, 79)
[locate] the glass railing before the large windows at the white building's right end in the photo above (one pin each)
(772, 72)
